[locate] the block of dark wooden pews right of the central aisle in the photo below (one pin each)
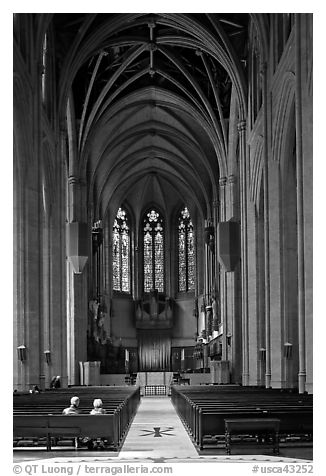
(204, 410)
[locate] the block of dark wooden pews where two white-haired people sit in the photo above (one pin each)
(39, 416)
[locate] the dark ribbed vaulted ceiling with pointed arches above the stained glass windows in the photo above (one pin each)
(149, 102)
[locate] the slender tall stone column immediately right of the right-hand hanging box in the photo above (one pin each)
(244, 251)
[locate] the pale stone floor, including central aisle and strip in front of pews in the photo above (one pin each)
(158, 435)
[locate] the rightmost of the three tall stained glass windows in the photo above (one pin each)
(186, 252)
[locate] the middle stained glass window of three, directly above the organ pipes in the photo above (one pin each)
(153, 251)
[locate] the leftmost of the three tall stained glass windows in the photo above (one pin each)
(121, 252)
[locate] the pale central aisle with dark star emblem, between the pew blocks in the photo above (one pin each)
(157, 431)
